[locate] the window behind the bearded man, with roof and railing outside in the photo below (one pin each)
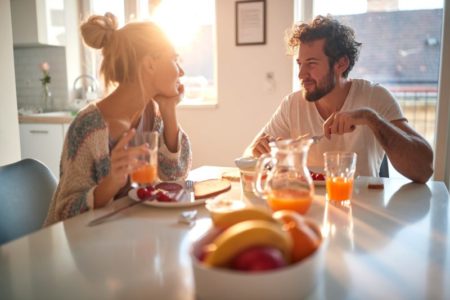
(401, 50)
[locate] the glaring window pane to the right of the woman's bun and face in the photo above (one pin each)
(190, 25)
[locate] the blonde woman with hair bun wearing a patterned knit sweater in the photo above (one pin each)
(96, 159)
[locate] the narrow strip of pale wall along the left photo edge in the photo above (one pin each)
(9, 124)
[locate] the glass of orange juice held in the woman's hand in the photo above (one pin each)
(147, 173)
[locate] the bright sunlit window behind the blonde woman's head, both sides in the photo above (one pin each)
(190, 25)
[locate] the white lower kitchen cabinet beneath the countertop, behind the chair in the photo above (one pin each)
(43, 142)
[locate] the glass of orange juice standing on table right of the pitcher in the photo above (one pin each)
(340, 171)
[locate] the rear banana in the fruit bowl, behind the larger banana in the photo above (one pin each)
(225, 220)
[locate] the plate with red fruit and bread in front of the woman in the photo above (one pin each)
(175, 194)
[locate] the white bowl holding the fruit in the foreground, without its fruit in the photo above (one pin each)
(292, 282)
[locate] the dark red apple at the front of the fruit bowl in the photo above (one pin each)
(257, 259)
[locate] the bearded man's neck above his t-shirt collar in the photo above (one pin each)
(334, 100)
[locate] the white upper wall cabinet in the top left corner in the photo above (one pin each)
(38, 22)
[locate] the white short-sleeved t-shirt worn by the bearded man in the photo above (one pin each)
(296, 116)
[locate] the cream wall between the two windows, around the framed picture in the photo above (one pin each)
(219, 135)
